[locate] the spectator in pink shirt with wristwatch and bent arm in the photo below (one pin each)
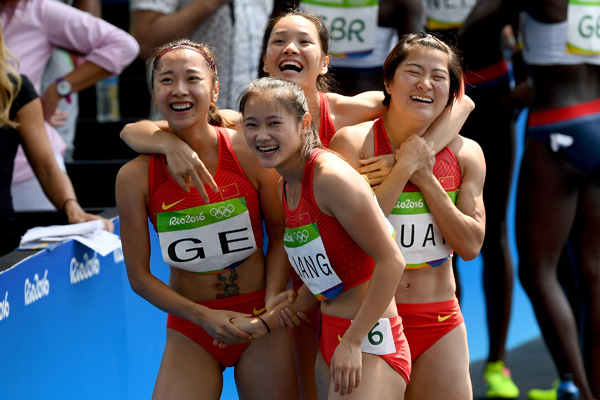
(32, 29)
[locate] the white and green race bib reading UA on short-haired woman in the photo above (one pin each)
(417, 233)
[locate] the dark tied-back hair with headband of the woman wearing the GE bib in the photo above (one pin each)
(214, 118)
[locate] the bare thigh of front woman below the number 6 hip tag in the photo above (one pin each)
(378, 381)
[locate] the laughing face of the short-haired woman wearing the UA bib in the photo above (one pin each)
(420, 86)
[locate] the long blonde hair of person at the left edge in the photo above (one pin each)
(10, 82)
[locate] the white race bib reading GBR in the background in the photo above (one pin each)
(352, 23)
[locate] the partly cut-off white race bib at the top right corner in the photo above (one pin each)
(583, 27)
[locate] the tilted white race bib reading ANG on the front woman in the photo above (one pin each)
(307, 255)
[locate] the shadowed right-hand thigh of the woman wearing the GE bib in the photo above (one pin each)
(266, 370)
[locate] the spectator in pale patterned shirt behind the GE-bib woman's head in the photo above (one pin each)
(232, 28)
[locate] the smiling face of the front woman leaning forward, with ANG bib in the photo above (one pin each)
(272, 132)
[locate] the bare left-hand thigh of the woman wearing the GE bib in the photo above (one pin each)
(187, 371)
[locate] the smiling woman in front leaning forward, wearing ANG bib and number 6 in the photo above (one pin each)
(339, 245)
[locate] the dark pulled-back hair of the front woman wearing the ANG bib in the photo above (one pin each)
(291, 97)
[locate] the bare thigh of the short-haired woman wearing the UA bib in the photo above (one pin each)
(442, 372)
